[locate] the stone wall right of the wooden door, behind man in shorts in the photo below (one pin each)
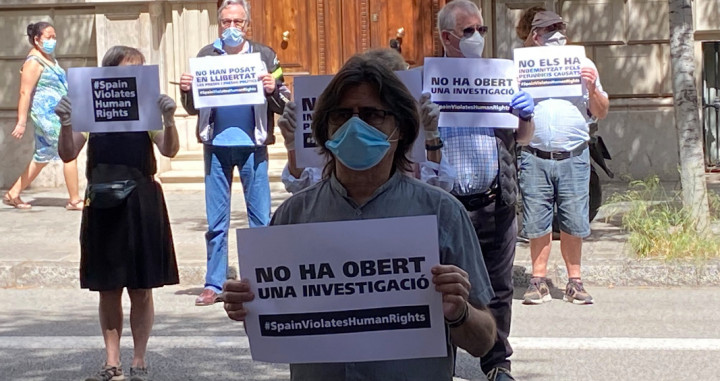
(628, 41)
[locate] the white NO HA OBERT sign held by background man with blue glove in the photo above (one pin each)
(472, 92)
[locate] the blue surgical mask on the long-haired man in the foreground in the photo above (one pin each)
(358, 145)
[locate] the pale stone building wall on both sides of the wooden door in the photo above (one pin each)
(627, 39)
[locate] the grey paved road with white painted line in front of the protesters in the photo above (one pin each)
(630, 334)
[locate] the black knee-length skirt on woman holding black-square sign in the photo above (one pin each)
(129, 245)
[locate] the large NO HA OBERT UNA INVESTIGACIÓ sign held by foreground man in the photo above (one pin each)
(343, 291)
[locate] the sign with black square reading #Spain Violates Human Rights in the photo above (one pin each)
(115, 98)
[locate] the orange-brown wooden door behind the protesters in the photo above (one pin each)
(318, 36)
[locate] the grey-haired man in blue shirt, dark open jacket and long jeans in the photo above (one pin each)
(234, 136)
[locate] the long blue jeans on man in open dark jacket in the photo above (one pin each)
(219, 165)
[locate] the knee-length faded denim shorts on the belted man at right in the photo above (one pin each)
(565, 183)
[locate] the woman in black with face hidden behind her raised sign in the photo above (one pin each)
(125, 237)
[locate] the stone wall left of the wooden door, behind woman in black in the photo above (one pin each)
(167, 32)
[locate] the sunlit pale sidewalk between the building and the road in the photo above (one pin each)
(39, 247)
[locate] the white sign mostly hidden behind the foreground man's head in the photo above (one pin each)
(306, 91)
